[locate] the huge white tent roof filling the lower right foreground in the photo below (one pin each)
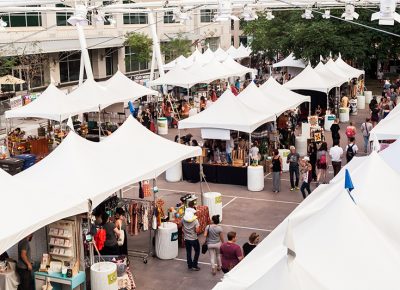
(321, 222)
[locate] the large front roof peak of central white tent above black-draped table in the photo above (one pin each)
(224, 114)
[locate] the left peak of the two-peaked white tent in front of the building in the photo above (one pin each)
(46, 106)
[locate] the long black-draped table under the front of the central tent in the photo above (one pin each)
(224, 174)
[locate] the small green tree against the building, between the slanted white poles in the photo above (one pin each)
(140, 44)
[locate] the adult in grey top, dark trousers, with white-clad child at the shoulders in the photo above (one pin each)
(191, 227)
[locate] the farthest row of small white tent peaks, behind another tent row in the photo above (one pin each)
(208, 55)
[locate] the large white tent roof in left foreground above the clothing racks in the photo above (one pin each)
(77, 160)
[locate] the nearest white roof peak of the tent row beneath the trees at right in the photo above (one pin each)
(308, 79)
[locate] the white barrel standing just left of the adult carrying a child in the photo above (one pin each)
(167, 241)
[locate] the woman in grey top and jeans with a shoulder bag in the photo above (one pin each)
(214, 239)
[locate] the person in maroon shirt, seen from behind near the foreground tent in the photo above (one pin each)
(231, 253)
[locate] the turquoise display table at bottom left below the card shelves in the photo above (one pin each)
(57, 278)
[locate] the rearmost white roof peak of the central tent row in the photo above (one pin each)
(275, 91)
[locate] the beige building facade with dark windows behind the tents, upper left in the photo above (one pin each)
(55, 48)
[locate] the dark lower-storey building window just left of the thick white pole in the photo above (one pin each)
(69, 66)
